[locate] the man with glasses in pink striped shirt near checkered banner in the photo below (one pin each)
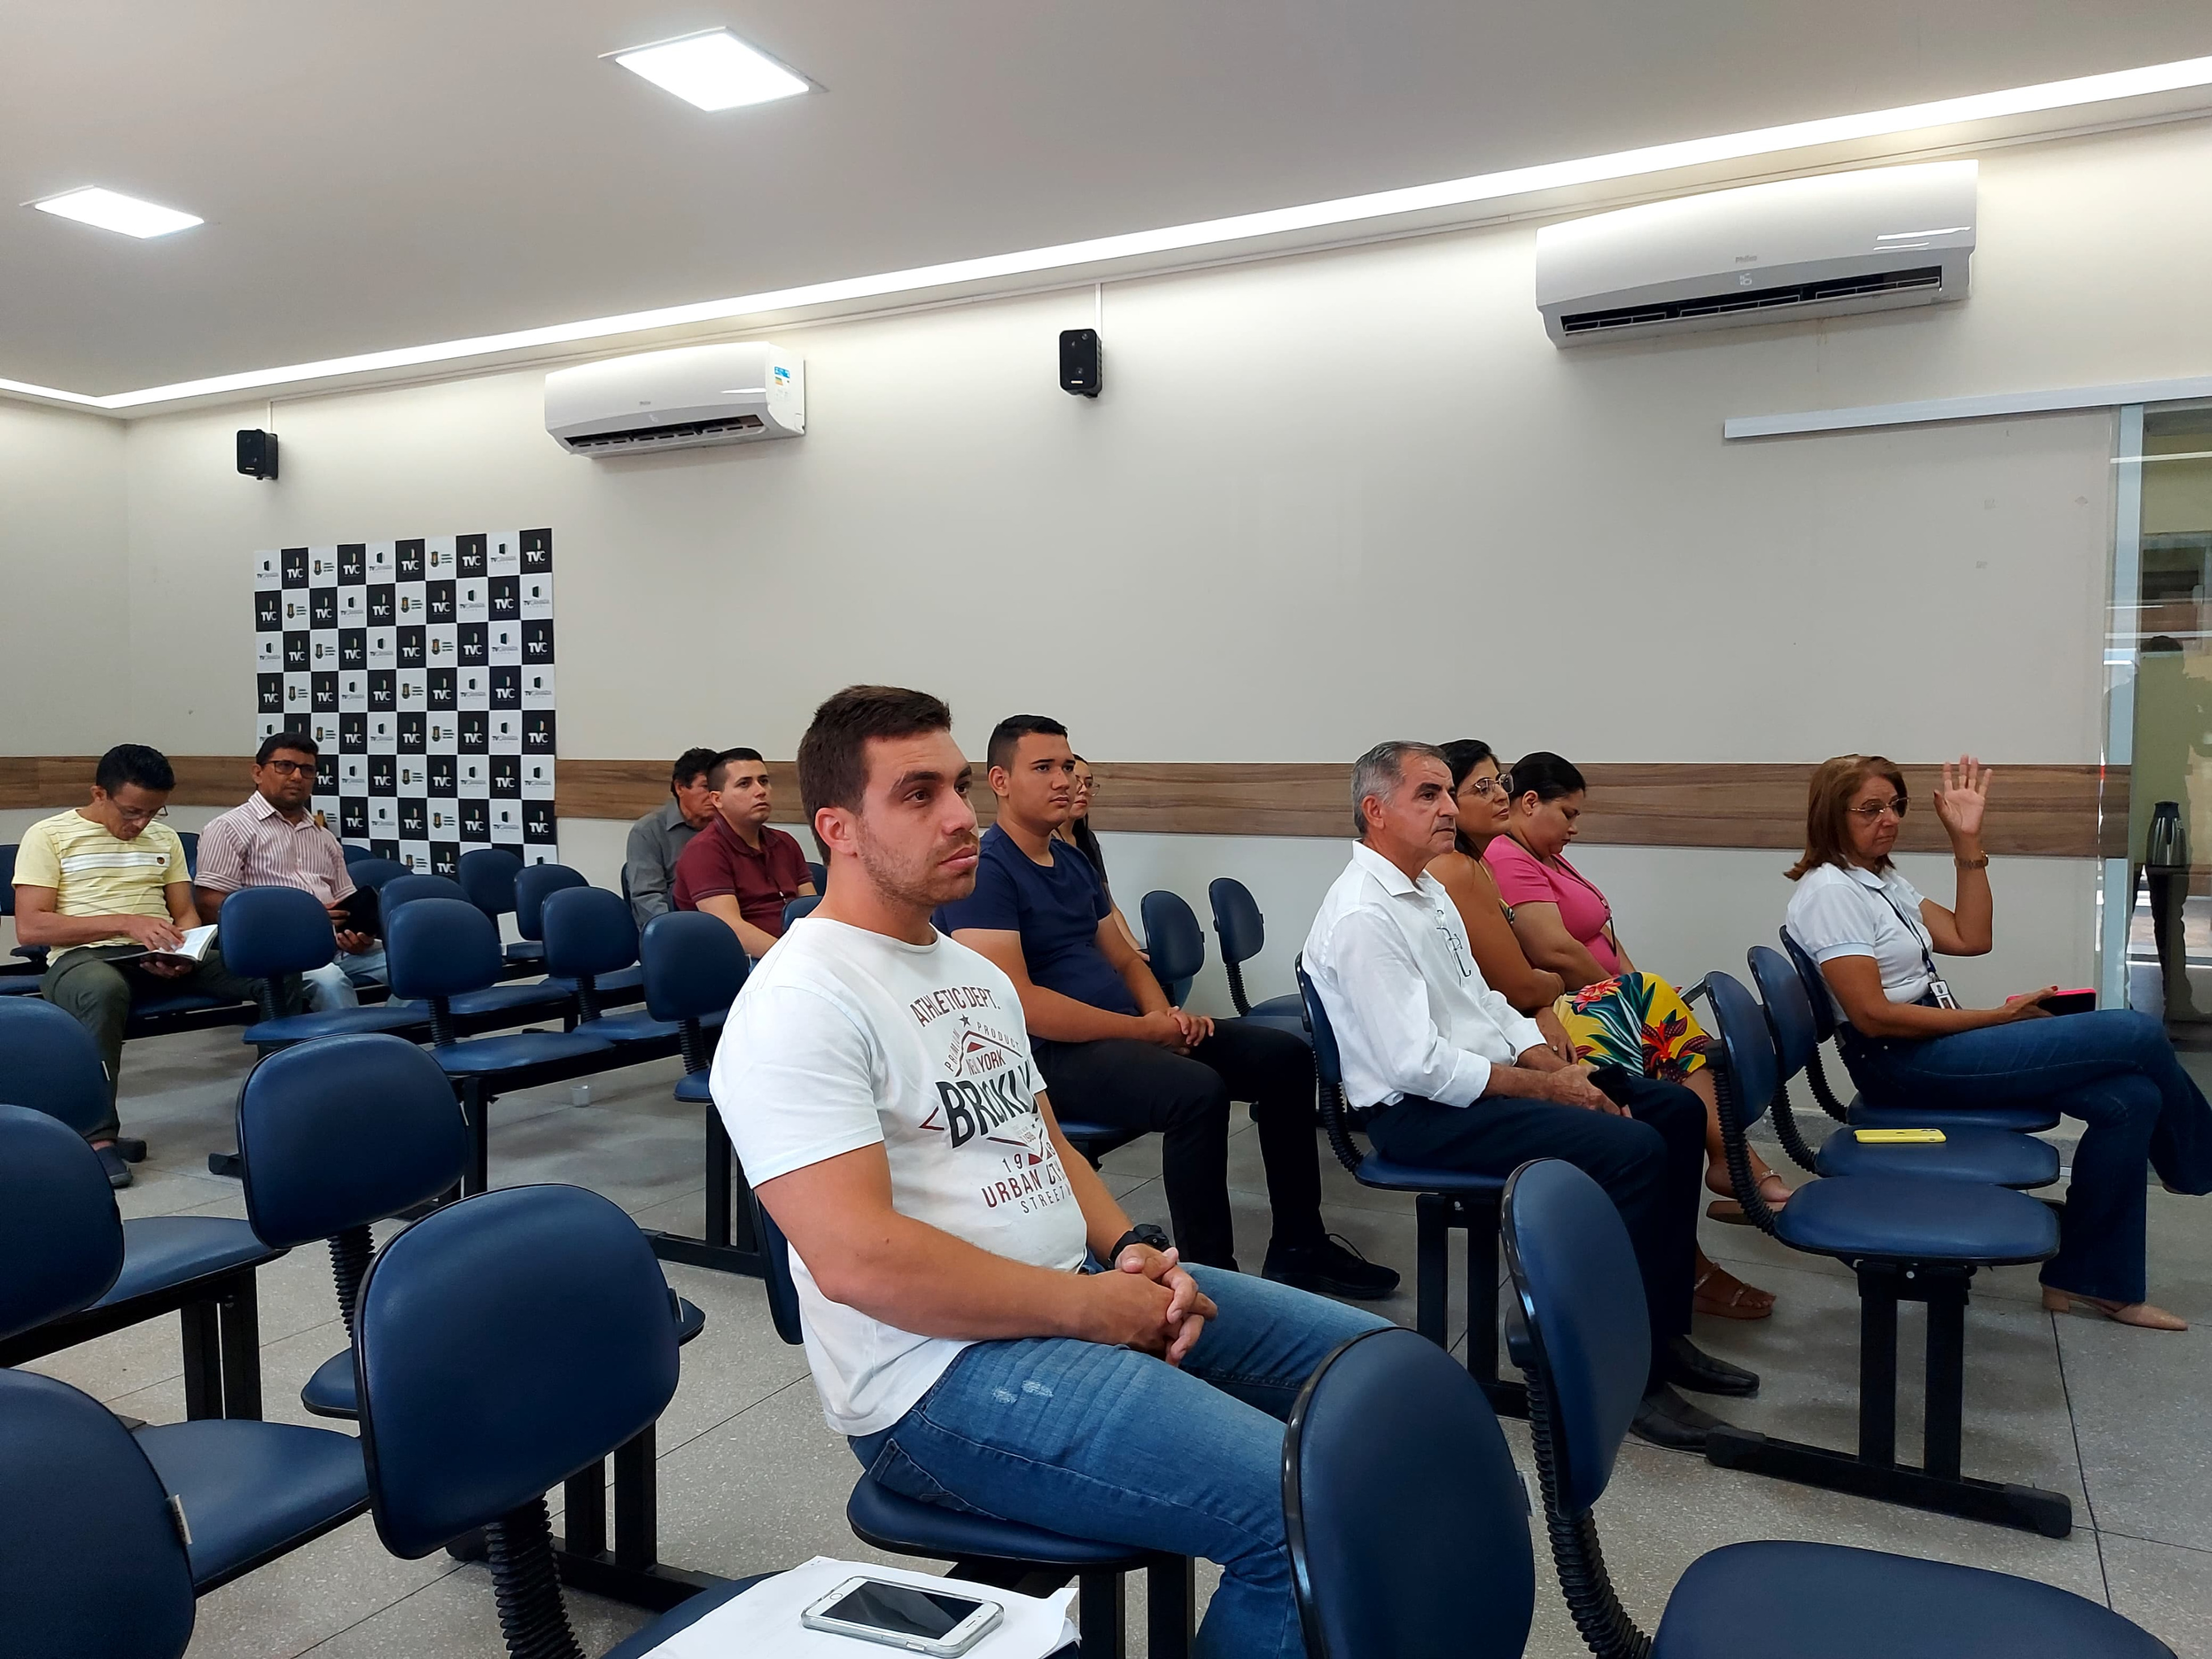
(275, 842)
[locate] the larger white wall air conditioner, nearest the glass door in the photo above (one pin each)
(1771, 253)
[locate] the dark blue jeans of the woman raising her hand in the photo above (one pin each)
(2116, 1072)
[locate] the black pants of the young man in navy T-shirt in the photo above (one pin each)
(1187, 1100)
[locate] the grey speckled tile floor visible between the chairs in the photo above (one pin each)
(753, 1481)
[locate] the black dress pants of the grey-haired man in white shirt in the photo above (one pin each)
(1651, 1165)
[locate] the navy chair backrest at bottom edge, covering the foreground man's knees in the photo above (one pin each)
(1408, 1521)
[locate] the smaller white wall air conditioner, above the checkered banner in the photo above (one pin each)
(700, 395)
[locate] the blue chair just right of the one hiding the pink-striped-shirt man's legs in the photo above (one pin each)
(446, 950)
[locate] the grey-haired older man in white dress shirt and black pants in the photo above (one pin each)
(1448, 1074)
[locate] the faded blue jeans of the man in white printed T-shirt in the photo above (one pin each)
(1114, 1446)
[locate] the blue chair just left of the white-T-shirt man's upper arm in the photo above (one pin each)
(693, 972)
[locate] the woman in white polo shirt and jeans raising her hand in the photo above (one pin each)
(1908, 1043)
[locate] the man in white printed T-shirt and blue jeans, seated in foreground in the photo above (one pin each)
(881, 1094)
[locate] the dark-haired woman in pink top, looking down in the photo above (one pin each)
(1565, 924)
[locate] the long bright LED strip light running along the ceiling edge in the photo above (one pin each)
(1381, 205)
